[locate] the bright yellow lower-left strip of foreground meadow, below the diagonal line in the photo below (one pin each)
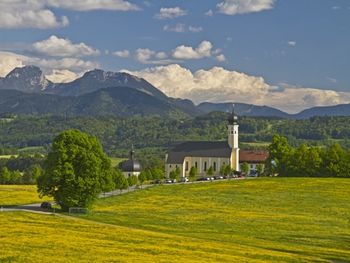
(27, 237)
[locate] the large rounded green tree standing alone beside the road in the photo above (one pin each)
(76, 170)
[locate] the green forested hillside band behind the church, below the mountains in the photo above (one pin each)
(118, 134)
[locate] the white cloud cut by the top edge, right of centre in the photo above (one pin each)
(233, 7)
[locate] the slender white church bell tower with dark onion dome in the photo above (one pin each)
(232, 130)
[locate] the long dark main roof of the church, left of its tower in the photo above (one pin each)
(219, 149)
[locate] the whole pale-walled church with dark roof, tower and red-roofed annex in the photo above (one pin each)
(206, 154)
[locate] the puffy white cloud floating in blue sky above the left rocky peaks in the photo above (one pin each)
(61, 47)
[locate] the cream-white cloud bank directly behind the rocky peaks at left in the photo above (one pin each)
(64, 69)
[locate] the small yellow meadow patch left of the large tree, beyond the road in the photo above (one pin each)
(19, 195)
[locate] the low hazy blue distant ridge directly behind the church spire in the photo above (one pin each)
(243, 109)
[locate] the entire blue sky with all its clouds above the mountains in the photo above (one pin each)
(280, 49)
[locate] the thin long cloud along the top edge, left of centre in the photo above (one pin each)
(89, 5)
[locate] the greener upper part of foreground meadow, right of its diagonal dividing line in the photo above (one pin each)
(308, 218)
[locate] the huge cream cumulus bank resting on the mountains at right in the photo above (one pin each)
(220, 85)
